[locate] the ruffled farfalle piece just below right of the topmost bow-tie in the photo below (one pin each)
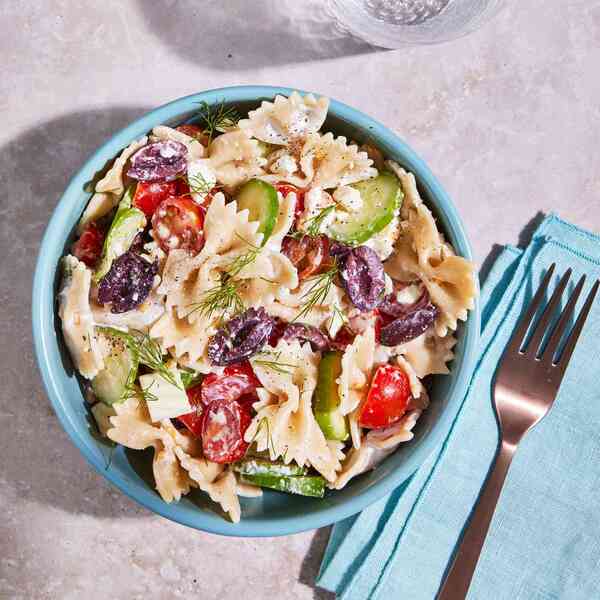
(332, 162)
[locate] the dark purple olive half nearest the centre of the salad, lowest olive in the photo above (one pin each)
(240, 338)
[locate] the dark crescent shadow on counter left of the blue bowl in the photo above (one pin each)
(39, 463)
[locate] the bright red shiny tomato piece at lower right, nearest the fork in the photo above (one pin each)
(388, 398)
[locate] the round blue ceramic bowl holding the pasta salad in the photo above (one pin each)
(274, 513)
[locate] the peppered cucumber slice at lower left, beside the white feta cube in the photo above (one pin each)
(120, 367)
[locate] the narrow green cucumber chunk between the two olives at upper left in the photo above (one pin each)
(127, 223)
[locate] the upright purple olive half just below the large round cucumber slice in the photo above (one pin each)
(361, 273)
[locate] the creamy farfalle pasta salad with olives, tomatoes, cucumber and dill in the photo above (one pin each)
(259, 302)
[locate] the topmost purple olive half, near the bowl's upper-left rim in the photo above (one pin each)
(159, 161)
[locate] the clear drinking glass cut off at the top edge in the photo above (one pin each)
(397, 23)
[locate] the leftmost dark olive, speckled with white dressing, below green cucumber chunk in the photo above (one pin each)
(127, 283)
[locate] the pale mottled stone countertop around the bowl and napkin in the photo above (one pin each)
(507, 118)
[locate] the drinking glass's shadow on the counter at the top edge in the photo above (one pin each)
(239, 35)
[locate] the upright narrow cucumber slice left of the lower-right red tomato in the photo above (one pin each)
(326, 400)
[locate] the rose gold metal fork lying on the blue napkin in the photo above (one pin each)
(526, 384)
